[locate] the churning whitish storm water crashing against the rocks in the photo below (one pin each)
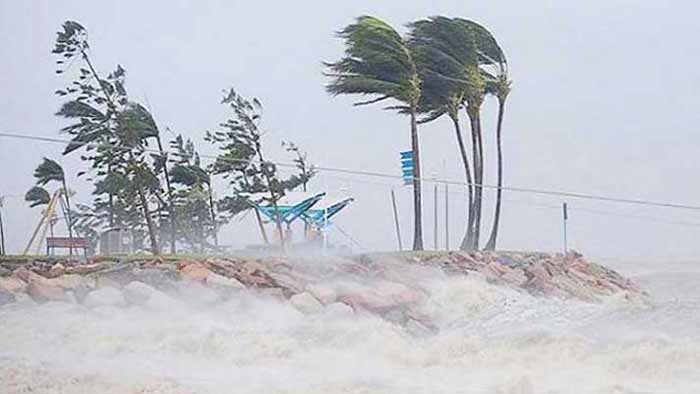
(488, 339)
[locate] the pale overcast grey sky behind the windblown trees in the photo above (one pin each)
(604, 101)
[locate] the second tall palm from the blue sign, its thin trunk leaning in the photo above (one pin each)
(440, 52)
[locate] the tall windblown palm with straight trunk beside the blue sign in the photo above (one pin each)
(379, 62)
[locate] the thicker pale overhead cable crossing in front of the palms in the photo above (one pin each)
(559, 193)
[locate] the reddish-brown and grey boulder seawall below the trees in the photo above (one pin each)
(358, 284)
